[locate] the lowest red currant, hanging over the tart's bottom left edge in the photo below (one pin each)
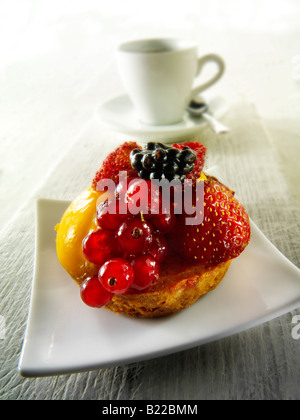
(93, 293)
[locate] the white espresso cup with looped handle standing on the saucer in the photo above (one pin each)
(158, 75)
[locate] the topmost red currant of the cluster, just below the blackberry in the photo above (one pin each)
(111, 213)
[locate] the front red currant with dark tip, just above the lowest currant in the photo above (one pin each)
(116, 275)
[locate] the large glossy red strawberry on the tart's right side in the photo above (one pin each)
(224, 232)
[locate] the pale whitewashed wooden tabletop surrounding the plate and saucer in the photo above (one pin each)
(57, 65)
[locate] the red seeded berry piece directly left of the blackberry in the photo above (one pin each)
(116, 161)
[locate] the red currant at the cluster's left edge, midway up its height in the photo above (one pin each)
(99, 245)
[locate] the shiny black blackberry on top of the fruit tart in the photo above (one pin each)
(159, 161)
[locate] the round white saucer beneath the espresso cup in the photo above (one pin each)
(119, 114)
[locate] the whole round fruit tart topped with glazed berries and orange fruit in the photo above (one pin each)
(132, 242)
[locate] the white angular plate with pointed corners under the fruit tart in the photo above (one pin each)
(64, 336)
